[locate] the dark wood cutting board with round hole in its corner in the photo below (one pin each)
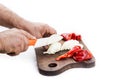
(47, 65)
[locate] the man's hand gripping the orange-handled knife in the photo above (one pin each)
(14, 40)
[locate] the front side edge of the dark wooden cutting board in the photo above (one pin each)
(67, 67)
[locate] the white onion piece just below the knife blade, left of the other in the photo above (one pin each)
(55, 47)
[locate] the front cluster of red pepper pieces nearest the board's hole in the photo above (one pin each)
(77, 54)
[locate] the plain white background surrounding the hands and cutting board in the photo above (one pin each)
(97, 21)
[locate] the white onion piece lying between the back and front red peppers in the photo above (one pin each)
(70, 44)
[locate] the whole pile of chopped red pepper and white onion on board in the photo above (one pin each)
(71, 43)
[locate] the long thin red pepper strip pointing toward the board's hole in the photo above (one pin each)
(69, 53)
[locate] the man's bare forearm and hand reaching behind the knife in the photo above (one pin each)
(12, 20)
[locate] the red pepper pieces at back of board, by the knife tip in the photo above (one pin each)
(69, 36)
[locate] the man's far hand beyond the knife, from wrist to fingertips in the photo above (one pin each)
(39, 29)
